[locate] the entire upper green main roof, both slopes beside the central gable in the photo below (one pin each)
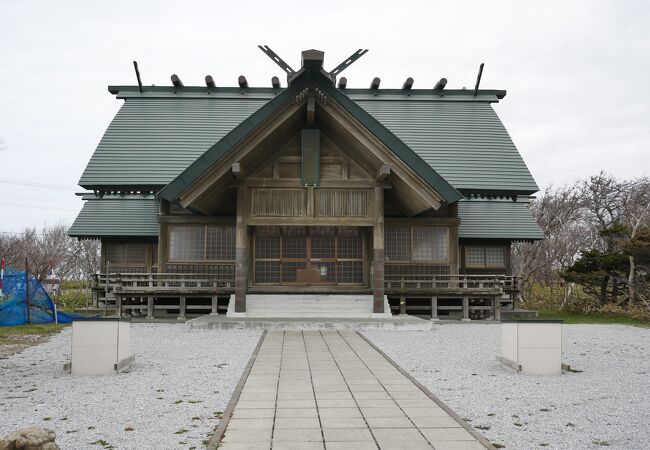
(157, 134)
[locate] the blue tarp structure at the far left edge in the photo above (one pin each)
(13, 307)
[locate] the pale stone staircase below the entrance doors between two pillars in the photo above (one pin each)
(308, 306)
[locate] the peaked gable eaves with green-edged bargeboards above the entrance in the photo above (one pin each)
(201, 186)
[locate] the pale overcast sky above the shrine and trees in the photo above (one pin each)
(577, 74)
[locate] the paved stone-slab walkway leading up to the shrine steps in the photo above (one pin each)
(332, 390)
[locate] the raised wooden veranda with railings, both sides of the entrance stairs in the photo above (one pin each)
(459, 296)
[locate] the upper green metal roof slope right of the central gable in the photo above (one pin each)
(464, 141)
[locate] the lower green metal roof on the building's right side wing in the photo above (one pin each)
(497, 219)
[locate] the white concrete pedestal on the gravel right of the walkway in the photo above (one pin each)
(532, 347)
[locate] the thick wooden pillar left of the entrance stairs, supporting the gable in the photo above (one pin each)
(241, 252)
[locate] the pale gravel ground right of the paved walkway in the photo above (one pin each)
(606, 405)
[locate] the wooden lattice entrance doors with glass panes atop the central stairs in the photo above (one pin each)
(308, 256)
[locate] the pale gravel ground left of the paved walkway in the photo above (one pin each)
(170, 398)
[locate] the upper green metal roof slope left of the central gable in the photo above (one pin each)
(152, 140)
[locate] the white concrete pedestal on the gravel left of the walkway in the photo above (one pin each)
(100, 346)
